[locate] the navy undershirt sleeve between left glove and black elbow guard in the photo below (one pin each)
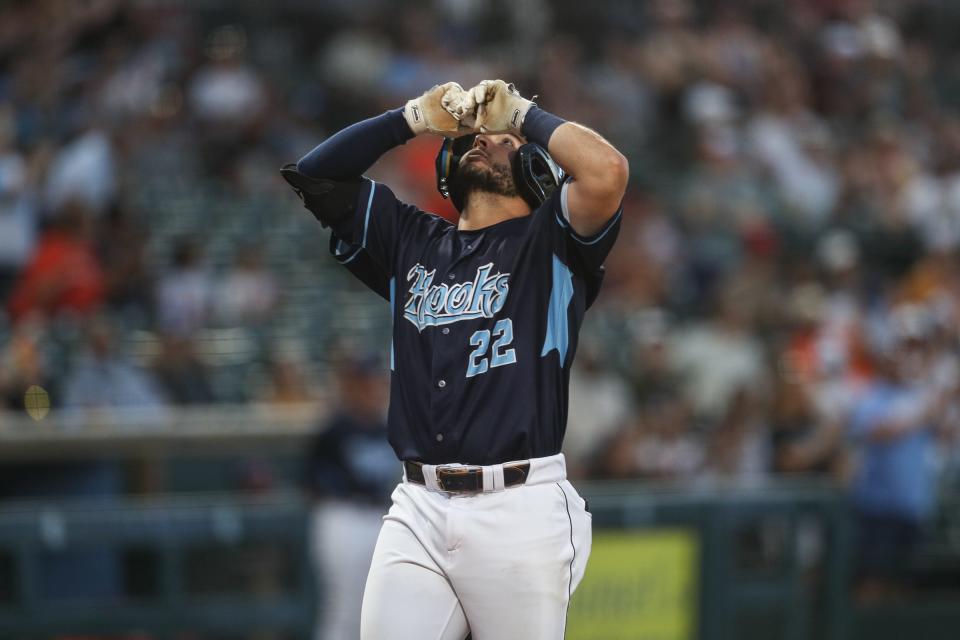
(351, 151)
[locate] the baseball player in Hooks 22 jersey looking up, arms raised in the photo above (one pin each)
(485, 535)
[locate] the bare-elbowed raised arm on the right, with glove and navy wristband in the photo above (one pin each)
(598, 171)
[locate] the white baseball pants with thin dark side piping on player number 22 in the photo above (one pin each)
(500, 565)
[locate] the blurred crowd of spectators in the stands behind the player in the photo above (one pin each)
(784, 297)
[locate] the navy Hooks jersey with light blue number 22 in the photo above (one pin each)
(485, 323)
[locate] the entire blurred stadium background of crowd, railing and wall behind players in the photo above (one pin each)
(764, 410)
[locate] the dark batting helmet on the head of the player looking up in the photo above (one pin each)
(534, 171)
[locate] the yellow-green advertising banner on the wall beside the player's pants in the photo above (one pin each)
(639, 585)
